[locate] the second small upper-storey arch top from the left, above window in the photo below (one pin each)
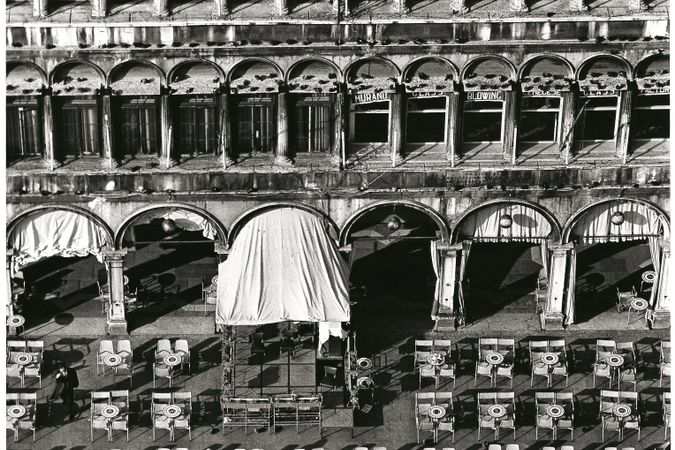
(77, 77)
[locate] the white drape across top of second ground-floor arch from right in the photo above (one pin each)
(528, 225)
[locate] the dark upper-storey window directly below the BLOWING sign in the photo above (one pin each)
(482, 121)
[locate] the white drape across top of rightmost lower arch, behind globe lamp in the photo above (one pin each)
(595, 225)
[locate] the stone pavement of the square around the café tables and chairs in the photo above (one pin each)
(391, 423)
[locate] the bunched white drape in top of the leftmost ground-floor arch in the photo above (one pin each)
(55, 232)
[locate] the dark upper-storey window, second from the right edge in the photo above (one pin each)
(597, 119)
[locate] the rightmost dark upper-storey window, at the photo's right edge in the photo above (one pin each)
(651, 117)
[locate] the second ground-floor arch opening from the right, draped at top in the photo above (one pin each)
(504, 255)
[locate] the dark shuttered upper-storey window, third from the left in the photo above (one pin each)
(137, 126)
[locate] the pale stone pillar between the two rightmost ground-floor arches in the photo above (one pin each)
(553, 314)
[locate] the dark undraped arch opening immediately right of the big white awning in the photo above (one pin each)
(392, 271)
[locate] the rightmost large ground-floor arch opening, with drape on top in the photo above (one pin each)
(616, 242)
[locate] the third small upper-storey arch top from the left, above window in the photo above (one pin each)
(136, 77)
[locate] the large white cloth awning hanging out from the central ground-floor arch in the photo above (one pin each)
(283, 266)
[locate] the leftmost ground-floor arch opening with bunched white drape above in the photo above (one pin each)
(57, 264)
